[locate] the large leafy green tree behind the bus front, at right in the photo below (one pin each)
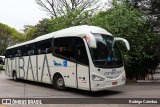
(125, 21)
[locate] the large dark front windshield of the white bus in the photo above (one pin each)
(106, 54)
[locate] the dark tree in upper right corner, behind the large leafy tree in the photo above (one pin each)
(152, 10)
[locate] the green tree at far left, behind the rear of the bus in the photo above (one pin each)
(8, 36)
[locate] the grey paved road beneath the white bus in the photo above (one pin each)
(28, 89)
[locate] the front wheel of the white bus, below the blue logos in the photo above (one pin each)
(58, 82)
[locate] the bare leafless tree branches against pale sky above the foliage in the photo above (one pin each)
(56, 8)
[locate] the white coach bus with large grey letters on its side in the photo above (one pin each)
(83, 57)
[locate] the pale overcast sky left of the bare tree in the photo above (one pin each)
(17, 13)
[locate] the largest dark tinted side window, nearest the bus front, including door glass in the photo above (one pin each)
(71, 48)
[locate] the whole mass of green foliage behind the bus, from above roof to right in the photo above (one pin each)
(121, 20)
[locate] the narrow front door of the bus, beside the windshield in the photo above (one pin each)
(82, 66)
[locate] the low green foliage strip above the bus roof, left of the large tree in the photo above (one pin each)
(51, 25)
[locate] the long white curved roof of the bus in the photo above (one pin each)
(71, 31)
